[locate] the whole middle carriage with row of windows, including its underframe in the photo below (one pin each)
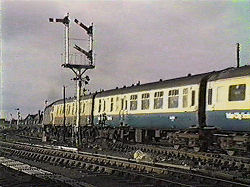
(154, 111)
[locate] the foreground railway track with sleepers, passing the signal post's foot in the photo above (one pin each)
(126, 170)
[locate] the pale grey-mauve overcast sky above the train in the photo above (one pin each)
(134, 41)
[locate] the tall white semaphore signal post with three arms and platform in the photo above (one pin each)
(78, 68)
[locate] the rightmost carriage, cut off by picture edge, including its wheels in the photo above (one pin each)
(228, 107)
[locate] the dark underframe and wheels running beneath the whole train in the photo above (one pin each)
(205, 139)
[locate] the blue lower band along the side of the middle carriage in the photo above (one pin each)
(155, 121)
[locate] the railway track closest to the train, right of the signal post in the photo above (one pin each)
(208, 159)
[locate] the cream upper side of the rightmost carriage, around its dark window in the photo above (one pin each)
(220, 94)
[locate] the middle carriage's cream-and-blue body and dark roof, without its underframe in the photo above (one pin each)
(171, 104)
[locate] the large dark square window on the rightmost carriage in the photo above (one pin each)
(237, 92)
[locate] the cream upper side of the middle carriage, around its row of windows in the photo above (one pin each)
(117, 102)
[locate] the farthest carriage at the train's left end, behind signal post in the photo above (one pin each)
(54, 116)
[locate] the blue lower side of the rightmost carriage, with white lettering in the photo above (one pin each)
(230, 120)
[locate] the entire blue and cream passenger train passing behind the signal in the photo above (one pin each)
(203, 112)
